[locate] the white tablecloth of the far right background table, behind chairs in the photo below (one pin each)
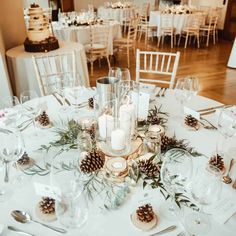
(179, 21)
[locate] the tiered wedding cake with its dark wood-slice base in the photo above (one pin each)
(39, 36)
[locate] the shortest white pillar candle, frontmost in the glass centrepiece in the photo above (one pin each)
(118, 139)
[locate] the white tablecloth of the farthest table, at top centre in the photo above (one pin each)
(116, 14)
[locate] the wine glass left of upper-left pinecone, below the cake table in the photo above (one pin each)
(31, 104)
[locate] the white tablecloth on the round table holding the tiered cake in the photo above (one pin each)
(22, 71)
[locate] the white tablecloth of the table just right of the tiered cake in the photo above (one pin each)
(81, 34)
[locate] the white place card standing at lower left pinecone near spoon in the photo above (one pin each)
(47, 190)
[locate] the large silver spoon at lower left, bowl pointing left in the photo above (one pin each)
(24, 217)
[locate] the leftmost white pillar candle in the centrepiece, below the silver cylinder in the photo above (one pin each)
(105, 124)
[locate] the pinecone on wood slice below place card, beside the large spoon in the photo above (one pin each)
(45, 209)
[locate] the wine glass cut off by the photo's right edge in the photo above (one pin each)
(227, 123)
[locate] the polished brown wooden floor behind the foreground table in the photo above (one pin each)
(217, 81)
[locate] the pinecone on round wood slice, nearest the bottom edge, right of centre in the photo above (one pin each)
(144, 217)
